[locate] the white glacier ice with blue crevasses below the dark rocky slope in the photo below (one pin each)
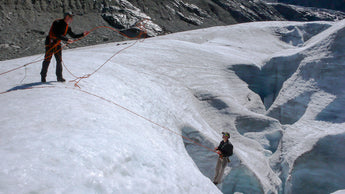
(277, 87)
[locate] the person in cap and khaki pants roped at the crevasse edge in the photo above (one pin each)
(225, 149)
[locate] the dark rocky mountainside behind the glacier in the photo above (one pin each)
(27, 23)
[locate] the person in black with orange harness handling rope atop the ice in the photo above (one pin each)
(58, 32)
